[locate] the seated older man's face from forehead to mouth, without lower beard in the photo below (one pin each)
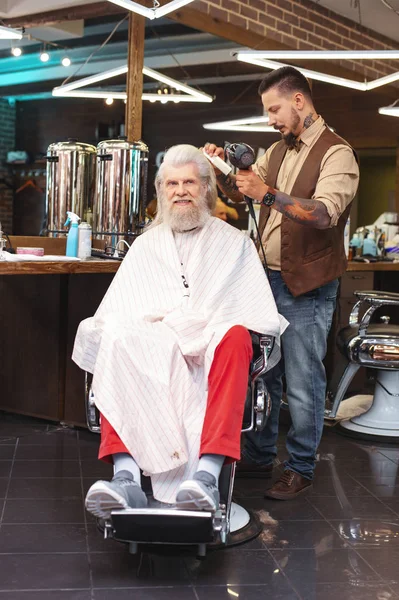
(182, 188)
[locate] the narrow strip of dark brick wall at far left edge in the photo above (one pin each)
(7, 143)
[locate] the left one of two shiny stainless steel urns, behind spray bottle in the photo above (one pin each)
(71, 170)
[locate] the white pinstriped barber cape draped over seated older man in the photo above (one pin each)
(151, 342)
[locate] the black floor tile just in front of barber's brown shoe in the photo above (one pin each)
(298, 509)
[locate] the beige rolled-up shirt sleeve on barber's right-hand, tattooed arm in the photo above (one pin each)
(338, 181)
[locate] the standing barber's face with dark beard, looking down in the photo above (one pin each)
(283, 112)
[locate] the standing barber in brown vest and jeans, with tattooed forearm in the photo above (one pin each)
(305, 184)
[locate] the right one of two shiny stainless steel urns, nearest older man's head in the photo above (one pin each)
(121, 190)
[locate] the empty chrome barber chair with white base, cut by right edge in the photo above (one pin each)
(376, 346)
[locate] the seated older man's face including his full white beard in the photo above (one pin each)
(185, 206)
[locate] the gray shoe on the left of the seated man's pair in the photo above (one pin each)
(122, 492)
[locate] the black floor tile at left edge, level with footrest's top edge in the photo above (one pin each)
(44, 510)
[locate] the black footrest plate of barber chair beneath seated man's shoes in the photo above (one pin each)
(163, 526)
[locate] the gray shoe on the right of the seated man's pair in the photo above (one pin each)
(198, 493)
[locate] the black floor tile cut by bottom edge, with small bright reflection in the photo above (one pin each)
(275, 590)
